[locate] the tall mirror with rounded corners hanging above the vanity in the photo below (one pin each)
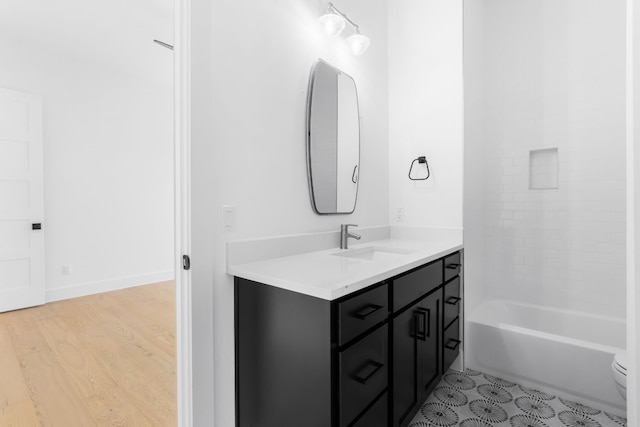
(333, 140)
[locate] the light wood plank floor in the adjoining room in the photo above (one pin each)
(101, 360)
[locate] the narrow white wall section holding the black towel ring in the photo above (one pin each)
(425, 110)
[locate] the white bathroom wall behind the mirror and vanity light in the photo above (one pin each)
(251, 63)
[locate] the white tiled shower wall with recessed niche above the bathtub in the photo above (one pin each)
(545, 153)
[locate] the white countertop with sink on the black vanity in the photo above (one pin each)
(323, 275)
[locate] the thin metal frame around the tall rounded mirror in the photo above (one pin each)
(312, 76)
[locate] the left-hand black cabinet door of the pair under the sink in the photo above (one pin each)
(406, 357)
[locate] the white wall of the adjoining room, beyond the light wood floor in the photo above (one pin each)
(108, 169)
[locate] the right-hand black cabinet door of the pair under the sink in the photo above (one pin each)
(428, 337)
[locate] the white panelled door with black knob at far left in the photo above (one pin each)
(21, 201)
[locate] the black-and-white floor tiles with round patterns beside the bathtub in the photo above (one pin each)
(474, 399)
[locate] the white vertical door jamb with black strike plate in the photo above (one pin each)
(182, 209)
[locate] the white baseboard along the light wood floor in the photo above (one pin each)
(90, 288)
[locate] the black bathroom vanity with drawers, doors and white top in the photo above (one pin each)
(367, 358)
